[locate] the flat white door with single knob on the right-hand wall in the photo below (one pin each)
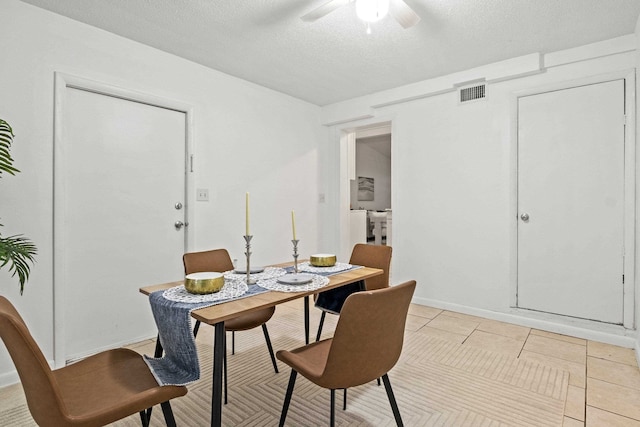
(571, 175)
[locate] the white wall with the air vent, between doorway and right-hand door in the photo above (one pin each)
(453, 190)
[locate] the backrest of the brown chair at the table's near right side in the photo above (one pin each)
(369, 335)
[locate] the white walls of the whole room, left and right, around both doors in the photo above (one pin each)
(454, 239)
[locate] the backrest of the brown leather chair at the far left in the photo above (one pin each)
(38, 381)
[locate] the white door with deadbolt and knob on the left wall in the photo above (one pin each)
(123, 189)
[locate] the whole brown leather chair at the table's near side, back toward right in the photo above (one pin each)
(366, 344)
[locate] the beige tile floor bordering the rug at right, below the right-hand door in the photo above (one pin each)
(604, 381)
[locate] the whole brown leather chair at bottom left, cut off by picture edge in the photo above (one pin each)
(96, 391)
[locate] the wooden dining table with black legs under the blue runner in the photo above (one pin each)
(216, 315)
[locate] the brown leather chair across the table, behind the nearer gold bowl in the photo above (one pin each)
(219, 260)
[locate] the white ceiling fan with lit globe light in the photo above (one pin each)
(369, 11)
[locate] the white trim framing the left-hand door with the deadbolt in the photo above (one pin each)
(62, 82)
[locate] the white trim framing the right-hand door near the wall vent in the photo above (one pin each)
(629, 191)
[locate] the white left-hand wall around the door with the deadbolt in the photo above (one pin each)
(247, 138)
